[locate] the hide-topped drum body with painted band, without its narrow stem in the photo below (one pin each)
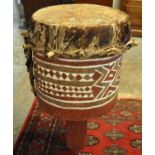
(74, 55)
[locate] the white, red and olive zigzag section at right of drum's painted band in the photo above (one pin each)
(107, 80)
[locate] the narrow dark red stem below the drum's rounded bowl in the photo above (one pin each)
(76, 135)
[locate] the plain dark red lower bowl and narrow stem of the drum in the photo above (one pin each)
(76, 123)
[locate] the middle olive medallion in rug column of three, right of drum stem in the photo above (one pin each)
(114, 135)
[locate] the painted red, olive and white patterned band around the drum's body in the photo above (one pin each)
(93, 82)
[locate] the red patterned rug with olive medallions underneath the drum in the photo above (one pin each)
(119, 132)
